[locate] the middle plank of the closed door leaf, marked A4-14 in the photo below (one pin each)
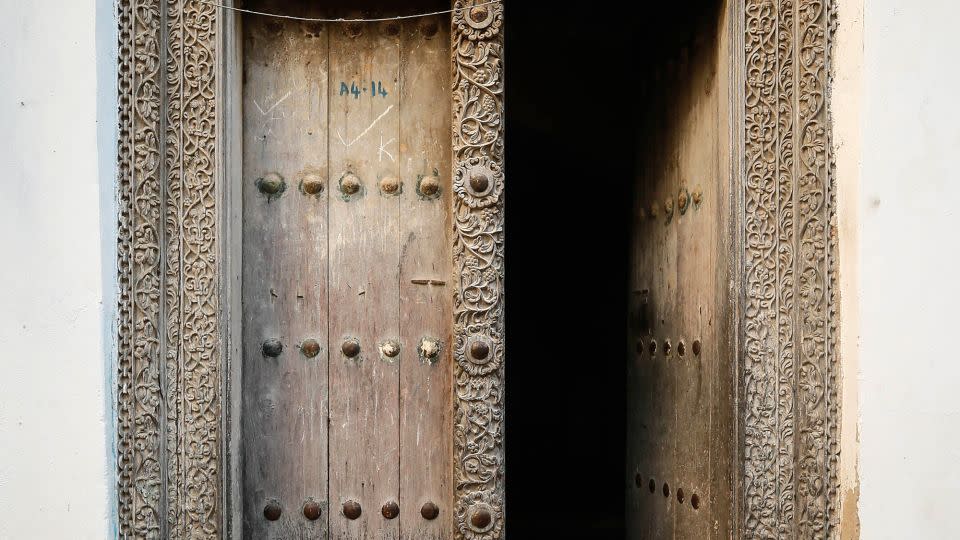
(364, 275)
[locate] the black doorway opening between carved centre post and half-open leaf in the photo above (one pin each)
(575, 82)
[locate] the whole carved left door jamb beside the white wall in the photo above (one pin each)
(168, 345)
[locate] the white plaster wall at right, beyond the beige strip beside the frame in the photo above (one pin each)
(909, 294)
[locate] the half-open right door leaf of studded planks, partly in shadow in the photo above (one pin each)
(681, 432)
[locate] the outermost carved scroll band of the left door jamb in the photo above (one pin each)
(140, 505)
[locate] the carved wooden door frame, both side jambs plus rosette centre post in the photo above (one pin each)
(177, 270)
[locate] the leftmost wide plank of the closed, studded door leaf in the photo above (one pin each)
(285, 277)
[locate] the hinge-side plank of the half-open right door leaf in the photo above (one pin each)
(697, 296)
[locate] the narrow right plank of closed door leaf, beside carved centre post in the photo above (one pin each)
(425, 289)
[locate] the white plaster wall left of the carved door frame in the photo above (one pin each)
(57, 111)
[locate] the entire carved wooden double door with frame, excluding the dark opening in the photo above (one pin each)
(293, 360)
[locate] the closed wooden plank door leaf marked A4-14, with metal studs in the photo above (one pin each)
(346, 374)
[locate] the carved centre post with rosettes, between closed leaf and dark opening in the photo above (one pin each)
(478, 264)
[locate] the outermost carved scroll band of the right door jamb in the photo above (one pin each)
(814, 231)
